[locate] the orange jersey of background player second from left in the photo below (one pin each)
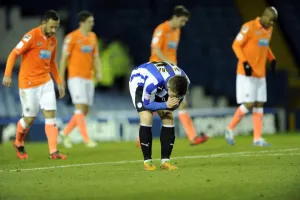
(82, 50)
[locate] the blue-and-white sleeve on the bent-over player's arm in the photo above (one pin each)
(149, 92)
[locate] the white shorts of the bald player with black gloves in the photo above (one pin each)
(250, 89)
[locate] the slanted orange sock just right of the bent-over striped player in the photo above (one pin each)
(188, 125)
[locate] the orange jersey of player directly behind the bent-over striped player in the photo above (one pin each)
(166, 39)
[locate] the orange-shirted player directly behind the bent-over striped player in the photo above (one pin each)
(164, 48)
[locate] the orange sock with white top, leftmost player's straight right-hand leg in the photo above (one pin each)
(52, 134)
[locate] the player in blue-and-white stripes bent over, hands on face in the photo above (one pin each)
(161, 87)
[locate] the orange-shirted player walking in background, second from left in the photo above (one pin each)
(82, 60)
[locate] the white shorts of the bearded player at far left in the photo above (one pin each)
(42, 96)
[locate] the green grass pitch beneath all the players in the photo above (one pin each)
(213, 170)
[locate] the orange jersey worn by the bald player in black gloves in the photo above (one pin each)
(252, 45)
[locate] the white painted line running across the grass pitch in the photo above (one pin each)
(235, 154)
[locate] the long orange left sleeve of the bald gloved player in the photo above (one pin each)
(240, 40)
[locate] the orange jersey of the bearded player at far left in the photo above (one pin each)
(38, 58)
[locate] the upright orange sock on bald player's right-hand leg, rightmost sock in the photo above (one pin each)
(257, 117)
